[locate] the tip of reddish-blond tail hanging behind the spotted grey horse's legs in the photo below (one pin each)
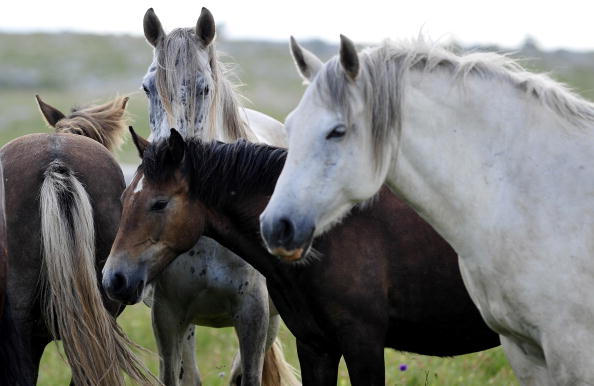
(277, 371)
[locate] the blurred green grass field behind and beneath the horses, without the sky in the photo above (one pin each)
(69, 69)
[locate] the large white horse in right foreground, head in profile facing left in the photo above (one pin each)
(497, 159)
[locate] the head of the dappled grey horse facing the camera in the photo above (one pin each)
(180, 80)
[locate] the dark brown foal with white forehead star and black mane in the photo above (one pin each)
(386, 279)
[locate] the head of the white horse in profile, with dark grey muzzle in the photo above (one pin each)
(339, 150)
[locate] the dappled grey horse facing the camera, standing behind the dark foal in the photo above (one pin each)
(210, 286)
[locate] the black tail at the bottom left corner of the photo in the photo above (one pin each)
(11, 352)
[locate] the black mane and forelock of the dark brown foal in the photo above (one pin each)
(218, 172)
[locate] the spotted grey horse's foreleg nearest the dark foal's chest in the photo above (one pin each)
(251, 326)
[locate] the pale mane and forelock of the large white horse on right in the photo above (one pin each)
(383, 69)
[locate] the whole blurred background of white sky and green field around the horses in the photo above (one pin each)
(75, 54)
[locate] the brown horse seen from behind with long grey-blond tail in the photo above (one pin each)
(62, 211)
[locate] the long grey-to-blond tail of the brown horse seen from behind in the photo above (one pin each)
(96, 348)
